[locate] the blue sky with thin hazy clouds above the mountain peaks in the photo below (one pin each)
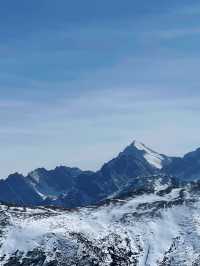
(79, 80)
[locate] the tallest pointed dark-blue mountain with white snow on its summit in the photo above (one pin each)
(135, 161)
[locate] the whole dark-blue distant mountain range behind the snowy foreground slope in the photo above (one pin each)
(71, 187)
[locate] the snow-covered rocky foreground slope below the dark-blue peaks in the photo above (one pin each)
(160, 228)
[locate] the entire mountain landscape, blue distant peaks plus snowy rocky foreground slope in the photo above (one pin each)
(140, 209)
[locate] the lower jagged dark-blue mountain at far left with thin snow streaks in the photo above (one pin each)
(38, 185)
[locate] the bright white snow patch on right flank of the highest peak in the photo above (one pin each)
(151, 156)
